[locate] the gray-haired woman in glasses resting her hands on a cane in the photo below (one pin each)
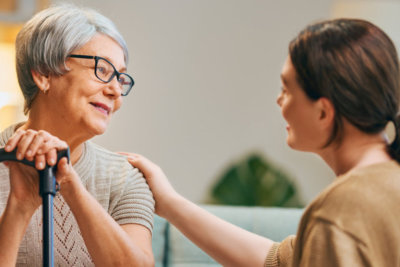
(71, 65)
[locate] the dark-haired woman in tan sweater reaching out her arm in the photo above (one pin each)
(340, 88)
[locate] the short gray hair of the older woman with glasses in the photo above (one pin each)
(46, 40)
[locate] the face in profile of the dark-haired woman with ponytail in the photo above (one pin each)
(300, 112)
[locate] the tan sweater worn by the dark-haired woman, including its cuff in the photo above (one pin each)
(354, 222)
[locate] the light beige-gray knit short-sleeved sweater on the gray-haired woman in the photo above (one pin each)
(119, 188)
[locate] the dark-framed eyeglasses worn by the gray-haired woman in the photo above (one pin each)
(105, 72)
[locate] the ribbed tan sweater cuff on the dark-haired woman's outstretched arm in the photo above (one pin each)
(281, 254)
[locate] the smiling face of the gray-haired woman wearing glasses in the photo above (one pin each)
(86, 102)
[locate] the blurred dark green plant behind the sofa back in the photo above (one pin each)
(254, 181)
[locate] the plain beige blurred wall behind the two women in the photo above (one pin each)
(207, 77)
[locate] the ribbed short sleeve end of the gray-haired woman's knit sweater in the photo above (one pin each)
(136, 203)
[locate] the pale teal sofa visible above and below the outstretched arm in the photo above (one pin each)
(173, 249)
